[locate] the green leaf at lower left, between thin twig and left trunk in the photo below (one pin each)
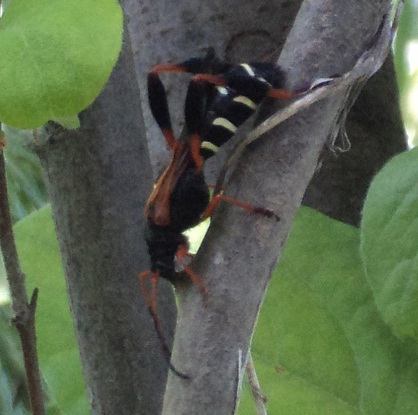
(57, 346)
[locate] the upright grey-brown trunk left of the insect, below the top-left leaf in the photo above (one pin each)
(99, 178)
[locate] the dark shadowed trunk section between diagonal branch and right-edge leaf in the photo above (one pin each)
(375, 130)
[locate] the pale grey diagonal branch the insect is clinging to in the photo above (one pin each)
(240, 251)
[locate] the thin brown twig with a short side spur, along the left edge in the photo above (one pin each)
(24, 313)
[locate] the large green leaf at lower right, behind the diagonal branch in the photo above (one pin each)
(321, 346)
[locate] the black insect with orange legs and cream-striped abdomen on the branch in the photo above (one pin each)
(220, 97)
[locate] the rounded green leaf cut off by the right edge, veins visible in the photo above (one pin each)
(390, 243)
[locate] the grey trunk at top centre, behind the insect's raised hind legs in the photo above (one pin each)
(168, 31)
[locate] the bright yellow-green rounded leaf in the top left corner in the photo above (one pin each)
(56, 57)
